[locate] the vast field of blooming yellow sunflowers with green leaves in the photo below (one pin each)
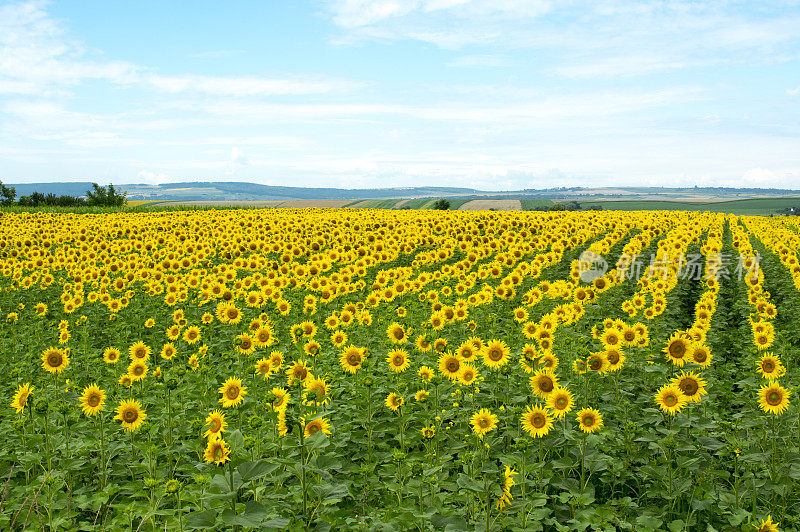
(323, 369)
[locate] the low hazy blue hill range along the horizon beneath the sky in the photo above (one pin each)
(242, 191)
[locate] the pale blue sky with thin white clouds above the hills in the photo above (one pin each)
(492, 94)
